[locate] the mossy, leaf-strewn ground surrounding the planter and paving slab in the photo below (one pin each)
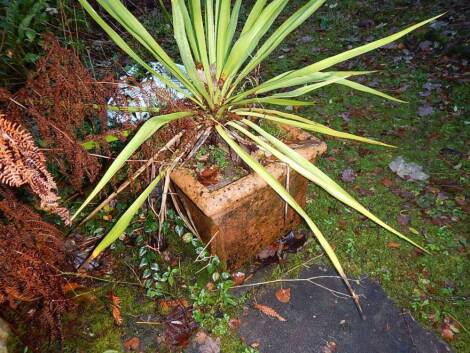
(427, 69)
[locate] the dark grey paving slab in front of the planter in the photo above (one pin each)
(319, 322)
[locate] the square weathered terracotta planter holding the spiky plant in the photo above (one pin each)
(246, 215)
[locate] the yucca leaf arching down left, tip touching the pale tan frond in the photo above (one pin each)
(145, 131)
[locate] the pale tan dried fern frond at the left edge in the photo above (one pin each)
(22, 163)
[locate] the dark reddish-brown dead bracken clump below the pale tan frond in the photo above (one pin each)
(32, 254)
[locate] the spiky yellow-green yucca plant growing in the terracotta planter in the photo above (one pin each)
(218, 55)
